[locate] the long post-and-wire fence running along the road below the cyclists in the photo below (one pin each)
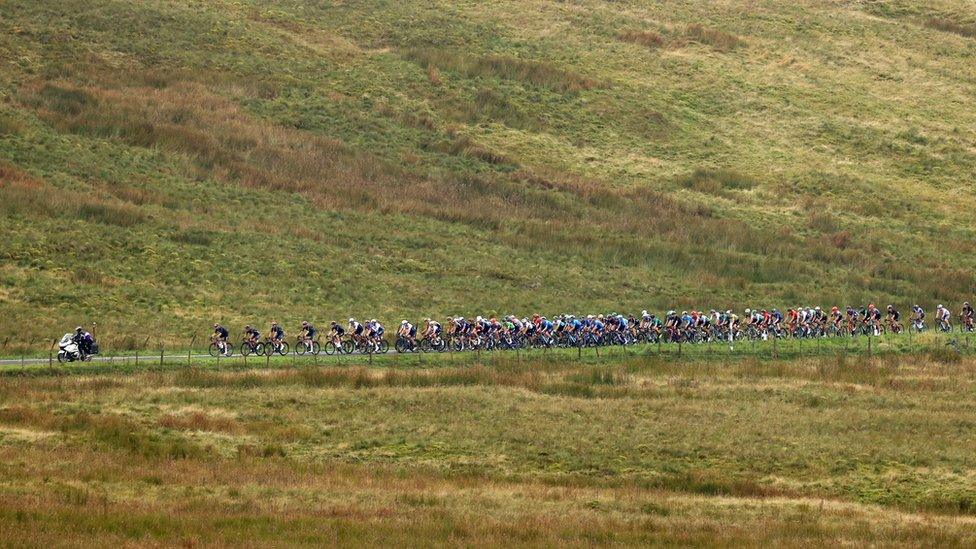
(145, 351)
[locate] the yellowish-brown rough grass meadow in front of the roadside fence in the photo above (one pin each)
(630, 451)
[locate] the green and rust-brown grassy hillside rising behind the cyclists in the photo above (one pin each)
(165, 163)
